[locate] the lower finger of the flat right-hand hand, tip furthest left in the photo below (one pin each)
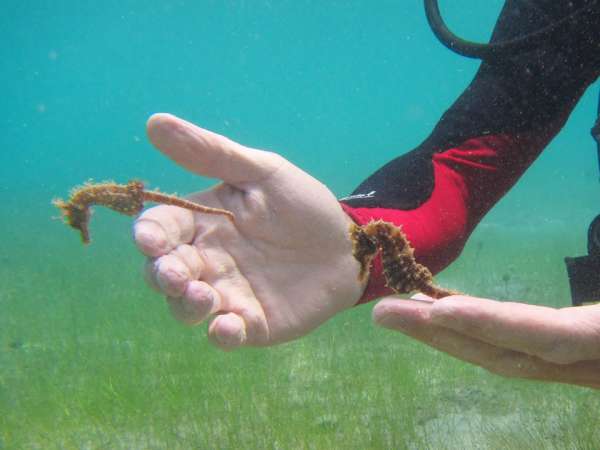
(414, 319)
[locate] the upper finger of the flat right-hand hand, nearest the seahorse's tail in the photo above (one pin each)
(544, 332)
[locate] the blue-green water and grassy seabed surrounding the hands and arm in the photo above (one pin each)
(90, 357)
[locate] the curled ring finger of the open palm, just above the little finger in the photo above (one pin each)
(199, 300)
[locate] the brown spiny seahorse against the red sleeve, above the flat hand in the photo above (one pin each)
(402, 273)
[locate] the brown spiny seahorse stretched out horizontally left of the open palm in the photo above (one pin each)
(126, 199)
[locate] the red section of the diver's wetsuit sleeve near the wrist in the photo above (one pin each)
(469, 179)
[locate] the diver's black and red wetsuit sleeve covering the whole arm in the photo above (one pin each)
(494, 131)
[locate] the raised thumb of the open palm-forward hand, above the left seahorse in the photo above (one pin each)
(207, 153)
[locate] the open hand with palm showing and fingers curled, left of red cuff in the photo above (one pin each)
(280, 269)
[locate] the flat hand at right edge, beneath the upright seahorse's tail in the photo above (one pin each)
(509, 339)
